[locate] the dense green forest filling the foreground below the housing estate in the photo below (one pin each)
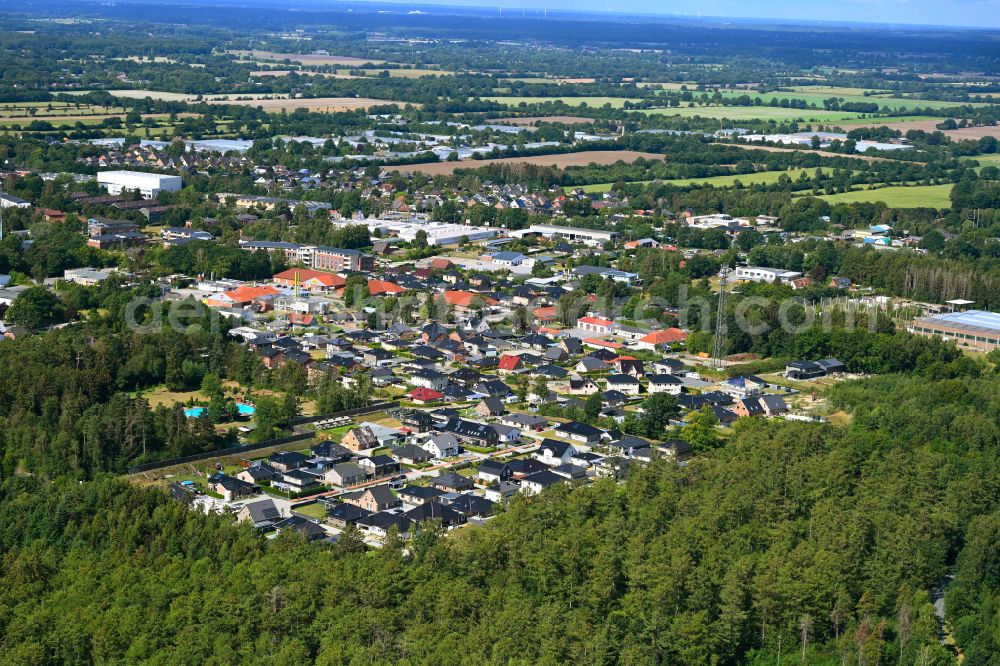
(800, 542)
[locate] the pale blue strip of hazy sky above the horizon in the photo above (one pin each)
(976, 13)
